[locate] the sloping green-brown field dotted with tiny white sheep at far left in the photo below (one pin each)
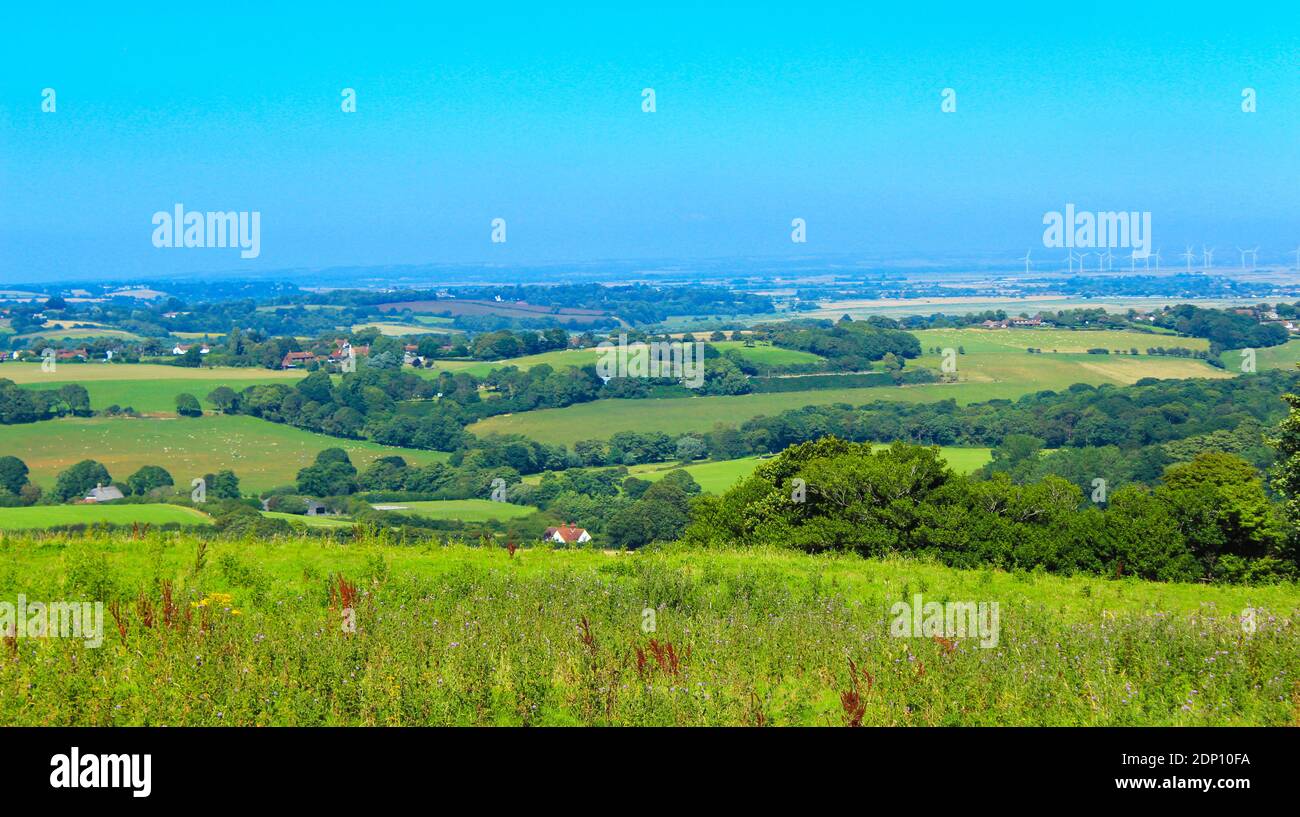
(262, 455)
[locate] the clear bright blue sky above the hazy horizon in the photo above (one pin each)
(475, 113)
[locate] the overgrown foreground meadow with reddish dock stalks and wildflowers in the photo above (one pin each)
(454, 636)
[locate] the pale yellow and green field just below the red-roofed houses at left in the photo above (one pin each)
(149, 388)
